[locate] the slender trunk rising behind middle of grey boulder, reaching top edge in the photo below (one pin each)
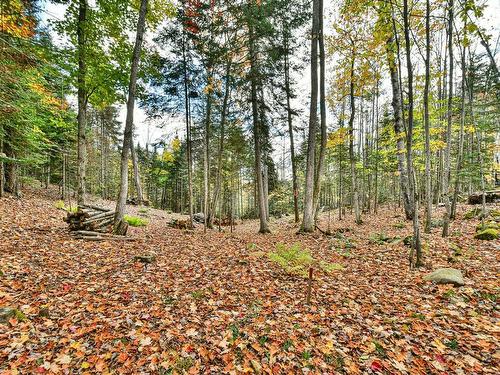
(447, 161)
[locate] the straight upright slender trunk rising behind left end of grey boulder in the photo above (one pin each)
(428, 192)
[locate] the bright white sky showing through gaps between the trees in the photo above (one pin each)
(147, 131)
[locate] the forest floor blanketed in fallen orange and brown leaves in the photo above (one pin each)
(214, 303)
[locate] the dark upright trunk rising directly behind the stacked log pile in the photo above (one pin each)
(82, 102)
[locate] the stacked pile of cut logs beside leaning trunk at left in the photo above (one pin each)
(92, 223)
